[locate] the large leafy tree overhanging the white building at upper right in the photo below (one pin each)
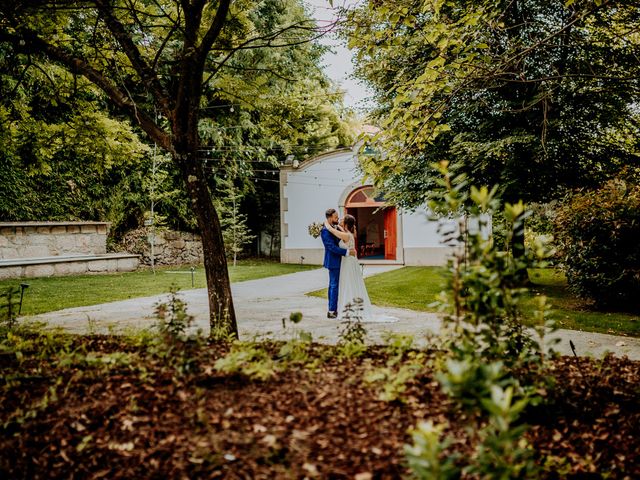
(538, 96)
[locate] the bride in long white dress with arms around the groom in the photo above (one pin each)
(351, 286)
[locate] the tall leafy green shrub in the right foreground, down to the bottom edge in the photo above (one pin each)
(491, 363)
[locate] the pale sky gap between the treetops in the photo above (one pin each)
(338, 63)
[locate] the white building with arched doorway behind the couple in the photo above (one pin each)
(333, 180)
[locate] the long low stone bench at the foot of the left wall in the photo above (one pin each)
(68, 265)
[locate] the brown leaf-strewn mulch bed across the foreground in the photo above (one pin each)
(147, 422)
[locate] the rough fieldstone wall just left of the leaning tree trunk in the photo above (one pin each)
(171, 247)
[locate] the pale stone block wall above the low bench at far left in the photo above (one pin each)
(38, 239)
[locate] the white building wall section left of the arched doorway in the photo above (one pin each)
(311, 190)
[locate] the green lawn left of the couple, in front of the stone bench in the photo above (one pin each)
(55, 293)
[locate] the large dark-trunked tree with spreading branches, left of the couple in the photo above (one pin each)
(159, 61)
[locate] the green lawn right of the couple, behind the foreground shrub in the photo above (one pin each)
(416, 288)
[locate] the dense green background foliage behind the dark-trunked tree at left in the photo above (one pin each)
(67, 153)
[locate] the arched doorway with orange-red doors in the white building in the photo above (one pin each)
(376, 224)
